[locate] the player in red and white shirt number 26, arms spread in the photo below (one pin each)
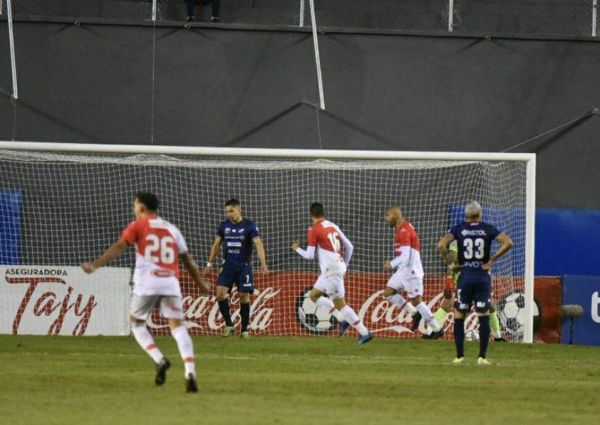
(159, 245)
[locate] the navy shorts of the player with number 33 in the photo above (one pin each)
(473, 289)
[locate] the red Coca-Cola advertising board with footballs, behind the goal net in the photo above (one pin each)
(280, 307)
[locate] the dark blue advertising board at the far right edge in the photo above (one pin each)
(585, 291)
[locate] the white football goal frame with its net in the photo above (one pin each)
(354, 185)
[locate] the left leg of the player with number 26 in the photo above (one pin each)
(141, 307)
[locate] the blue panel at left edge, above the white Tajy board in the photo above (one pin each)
(10, 226)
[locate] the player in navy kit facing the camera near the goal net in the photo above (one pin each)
(236, 235)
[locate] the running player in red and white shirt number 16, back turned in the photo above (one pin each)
(329, 242)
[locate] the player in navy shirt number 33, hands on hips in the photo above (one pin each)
(474, 238)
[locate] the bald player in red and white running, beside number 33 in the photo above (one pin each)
(408, 275)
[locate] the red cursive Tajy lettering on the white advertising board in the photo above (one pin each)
(47, 303)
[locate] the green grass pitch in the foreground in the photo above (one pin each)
(276, 380)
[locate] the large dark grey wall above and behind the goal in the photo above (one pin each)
(242, 87)
